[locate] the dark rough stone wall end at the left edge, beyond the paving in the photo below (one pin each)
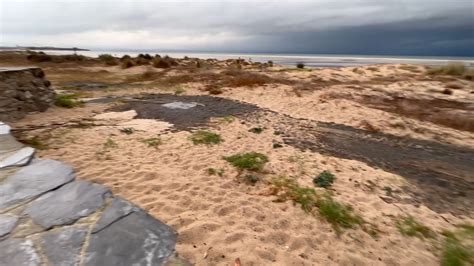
(23, 90)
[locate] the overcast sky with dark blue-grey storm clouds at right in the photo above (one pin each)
(399, 27)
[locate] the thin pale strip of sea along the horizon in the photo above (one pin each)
(310, 60)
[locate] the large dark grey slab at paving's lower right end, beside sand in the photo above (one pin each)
(136, 239)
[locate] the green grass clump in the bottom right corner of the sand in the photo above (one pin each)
(458, 247)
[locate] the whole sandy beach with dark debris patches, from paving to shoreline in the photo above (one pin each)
(399, 142)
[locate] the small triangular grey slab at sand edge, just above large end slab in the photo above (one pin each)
(117, 209)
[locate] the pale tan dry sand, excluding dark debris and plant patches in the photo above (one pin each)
(221, 218)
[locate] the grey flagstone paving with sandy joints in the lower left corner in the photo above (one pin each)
(47, 217)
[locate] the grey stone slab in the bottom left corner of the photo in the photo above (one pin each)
(18, 252)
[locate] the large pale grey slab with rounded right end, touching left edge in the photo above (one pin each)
(33, 180)
